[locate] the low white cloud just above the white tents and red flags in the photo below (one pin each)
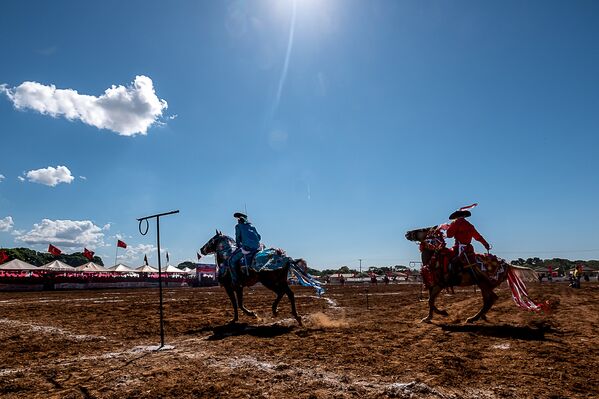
(66, 233)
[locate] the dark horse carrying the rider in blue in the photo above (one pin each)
(275, 280)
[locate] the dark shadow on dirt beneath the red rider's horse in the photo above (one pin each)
(526, 333)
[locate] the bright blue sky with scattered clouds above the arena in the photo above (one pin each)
(390, 116)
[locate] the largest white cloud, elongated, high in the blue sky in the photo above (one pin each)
(126, 110)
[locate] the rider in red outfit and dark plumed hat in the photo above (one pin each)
(463, 232)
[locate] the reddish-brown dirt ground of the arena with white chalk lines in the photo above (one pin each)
(356, 342)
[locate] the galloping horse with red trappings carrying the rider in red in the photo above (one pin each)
(487, 273)
